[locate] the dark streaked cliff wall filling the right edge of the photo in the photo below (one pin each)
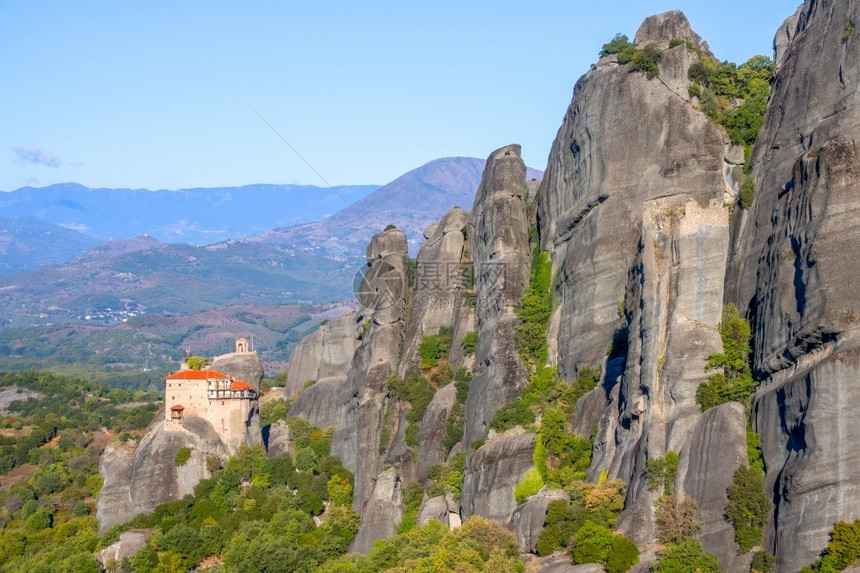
(794, 268)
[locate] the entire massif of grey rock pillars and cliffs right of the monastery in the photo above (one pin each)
(639, 214)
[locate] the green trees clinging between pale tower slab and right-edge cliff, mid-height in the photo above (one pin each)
(735, 382)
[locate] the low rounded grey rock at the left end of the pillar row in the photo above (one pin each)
(324, 355)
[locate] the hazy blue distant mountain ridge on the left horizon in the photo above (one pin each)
(194, 216)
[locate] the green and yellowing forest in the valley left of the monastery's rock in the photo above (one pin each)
(50, 446)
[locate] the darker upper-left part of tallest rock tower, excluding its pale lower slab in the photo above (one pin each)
(627, 145)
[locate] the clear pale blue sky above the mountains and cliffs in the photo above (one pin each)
(168, 95)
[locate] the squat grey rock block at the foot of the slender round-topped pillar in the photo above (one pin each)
(491, 474)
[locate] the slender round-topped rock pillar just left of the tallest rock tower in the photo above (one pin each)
(500, 251)
